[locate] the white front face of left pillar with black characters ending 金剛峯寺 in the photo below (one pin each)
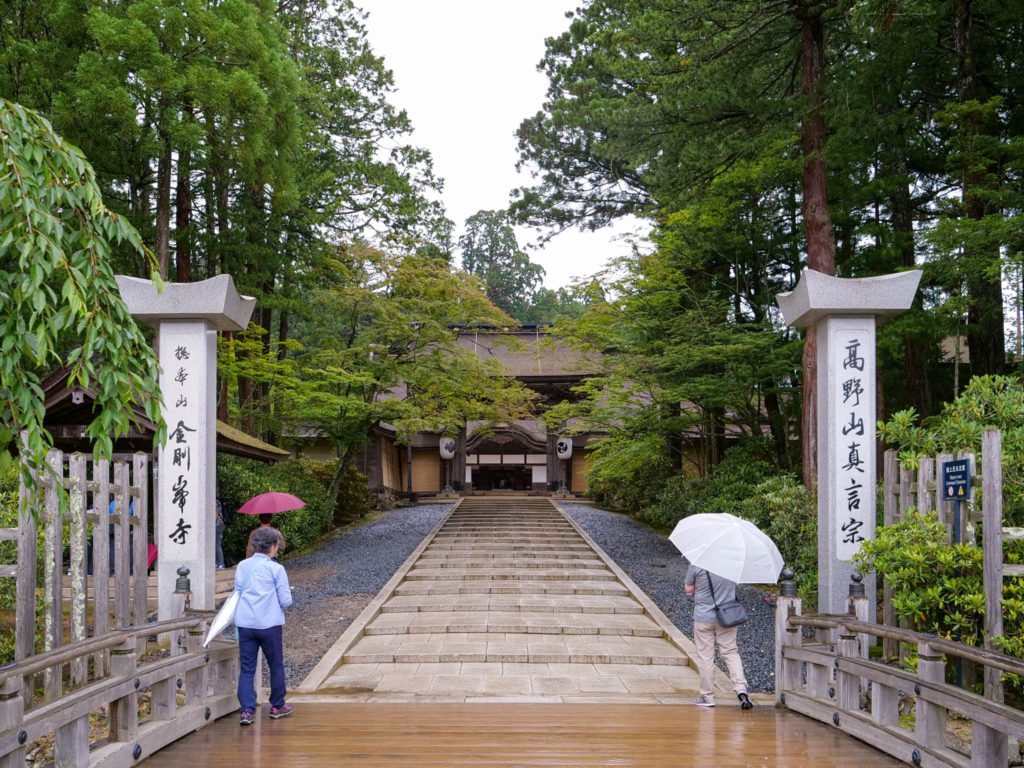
(181, 353)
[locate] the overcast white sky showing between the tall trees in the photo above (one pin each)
(466, 73)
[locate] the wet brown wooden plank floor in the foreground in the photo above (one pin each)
(503, 736)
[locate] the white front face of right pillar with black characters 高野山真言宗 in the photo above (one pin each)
(851, 361)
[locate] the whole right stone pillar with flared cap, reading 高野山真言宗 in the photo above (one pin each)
(845, 312)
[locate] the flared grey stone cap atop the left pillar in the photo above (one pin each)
(215, 301)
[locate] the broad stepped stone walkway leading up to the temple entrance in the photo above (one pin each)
(508, 601)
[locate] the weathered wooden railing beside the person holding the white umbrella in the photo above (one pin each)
(834, 681)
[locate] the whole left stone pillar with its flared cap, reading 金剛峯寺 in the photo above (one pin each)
(187, 317)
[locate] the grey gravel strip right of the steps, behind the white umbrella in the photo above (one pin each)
(655, 564)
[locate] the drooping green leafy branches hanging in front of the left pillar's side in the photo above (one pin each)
(59, 298)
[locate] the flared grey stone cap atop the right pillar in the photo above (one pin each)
(819, 295)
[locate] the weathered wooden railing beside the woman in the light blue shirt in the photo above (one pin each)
(206, 678)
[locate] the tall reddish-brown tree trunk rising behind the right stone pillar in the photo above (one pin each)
(818, 224)
